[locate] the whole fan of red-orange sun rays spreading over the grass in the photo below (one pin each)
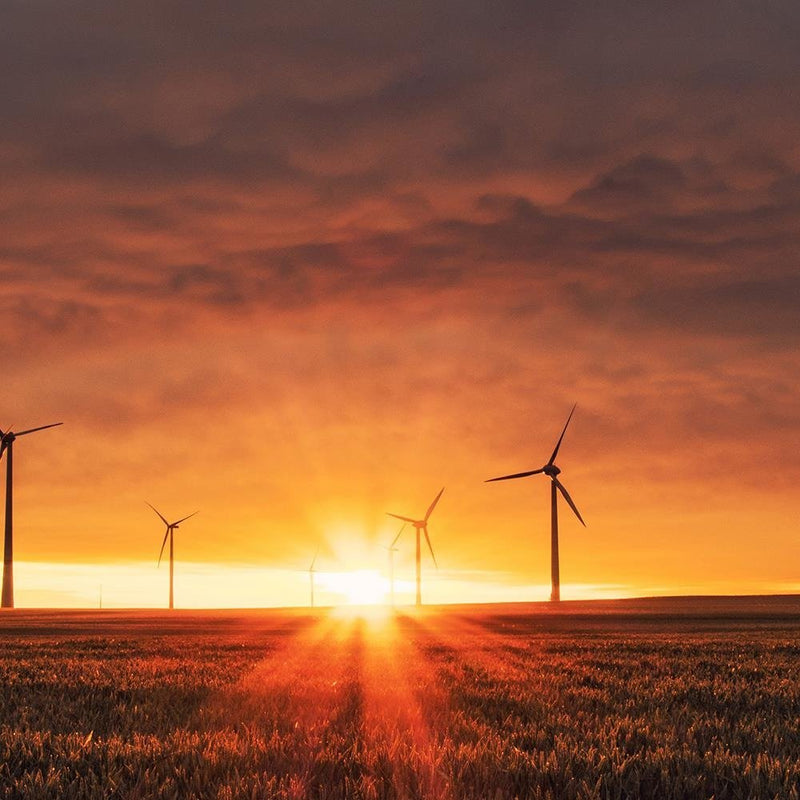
(375, 698)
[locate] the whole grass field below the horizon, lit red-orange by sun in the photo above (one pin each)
(669, 698)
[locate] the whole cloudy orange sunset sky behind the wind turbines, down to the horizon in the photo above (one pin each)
(296, 269)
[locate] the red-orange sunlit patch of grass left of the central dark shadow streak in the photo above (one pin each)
(305, 694)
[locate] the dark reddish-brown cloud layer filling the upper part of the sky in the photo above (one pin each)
(627, 170)
